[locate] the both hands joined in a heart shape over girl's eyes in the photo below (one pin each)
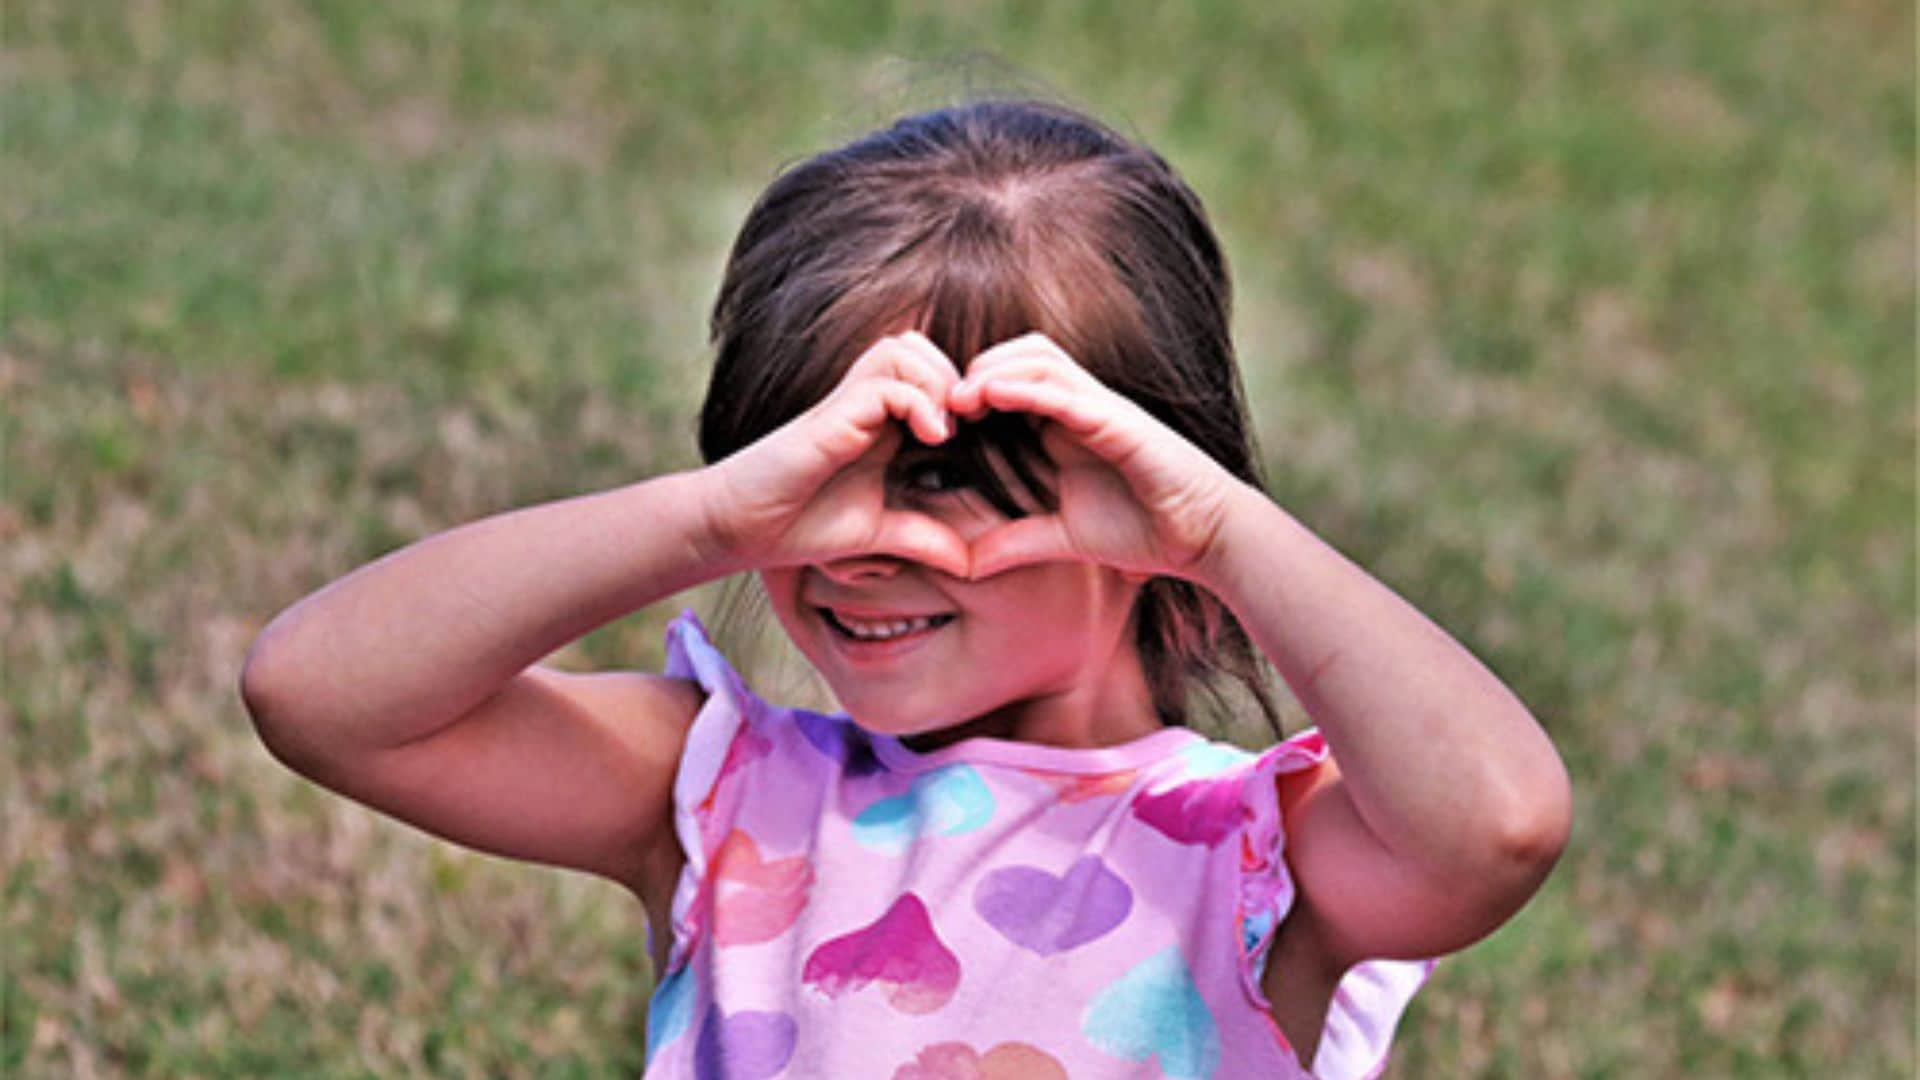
(1132, 493)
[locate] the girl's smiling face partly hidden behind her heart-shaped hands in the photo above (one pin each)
(1036, 654)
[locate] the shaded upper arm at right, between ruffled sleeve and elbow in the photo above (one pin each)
(1362, 898)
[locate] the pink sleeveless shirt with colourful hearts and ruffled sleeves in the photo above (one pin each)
(852, 908)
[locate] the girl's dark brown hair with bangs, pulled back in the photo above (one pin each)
(984, 222)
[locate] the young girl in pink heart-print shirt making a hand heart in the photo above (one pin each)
(978, 430)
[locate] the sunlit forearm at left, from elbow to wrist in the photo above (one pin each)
(416, 639)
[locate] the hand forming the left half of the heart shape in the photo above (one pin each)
(815, 489)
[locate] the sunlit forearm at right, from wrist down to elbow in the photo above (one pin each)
(1441, 760)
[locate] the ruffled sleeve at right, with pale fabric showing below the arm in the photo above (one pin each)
(1374, 994)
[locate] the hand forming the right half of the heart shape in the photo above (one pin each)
(1134, 493)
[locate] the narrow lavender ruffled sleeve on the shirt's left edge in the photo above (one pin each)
(723, 739)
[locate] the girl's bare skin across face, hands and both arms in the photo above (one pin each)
(1439, 812)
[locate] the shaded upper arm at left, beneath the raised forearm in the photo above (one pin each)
(556, 768)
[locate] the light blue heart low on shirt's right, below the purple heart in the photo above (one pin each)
(1157, 1012)
